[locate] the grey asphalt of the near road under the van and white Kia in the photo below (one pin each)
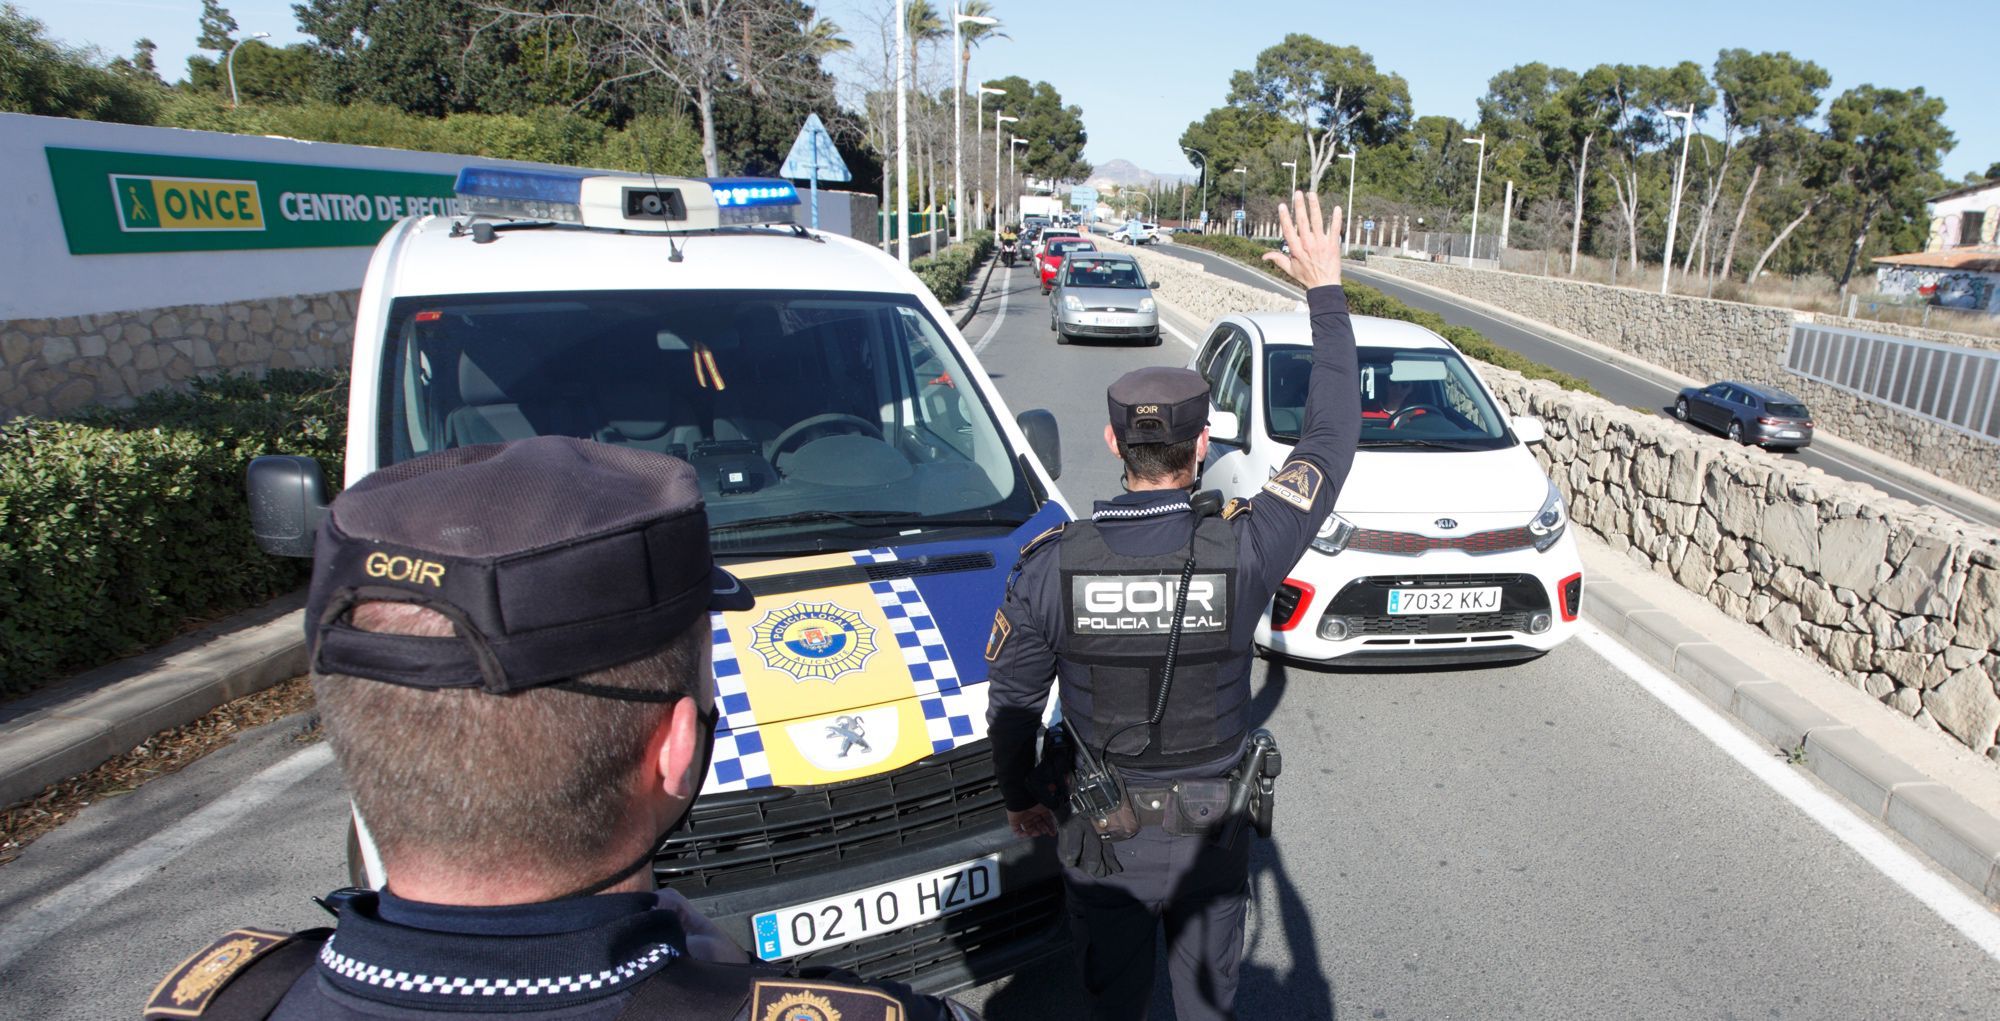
(1533, 842)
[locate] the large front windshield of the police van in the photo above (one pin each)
(815, 419)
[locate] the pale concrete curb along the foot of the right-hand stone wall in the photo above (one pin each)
(1943, 826)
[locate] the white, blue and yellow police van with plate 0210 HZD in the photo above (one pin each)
(861, 475)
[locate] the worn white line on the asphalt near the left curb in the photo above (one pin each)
(61, 910)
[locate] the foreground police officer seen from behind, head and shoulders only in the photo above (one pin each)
(511, 654)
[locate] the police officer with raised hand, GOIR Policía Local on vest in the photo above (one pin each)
(1095, 606)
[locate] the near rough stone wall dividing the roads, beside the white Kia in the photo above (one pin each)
(1903, 602)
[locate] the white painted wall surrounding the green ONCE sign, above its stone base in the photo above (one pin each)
(41, 279)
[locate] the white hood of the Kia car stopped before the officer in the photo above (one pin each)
(1465, 485)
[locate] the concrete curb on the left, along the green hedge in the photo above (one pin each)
(129, 702)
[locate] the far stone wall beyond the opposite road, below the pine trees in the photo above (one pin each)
(1713, 339)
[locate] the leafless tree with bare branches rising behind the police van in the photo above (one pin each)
(703, 47)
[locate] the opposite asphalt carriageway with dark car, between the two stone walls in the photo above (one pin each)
(1613, 381)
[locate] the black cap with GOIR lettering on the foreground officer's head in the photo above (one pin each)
(553, 558)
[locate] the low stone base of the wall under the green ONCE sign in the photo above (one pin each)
(59, 365)
